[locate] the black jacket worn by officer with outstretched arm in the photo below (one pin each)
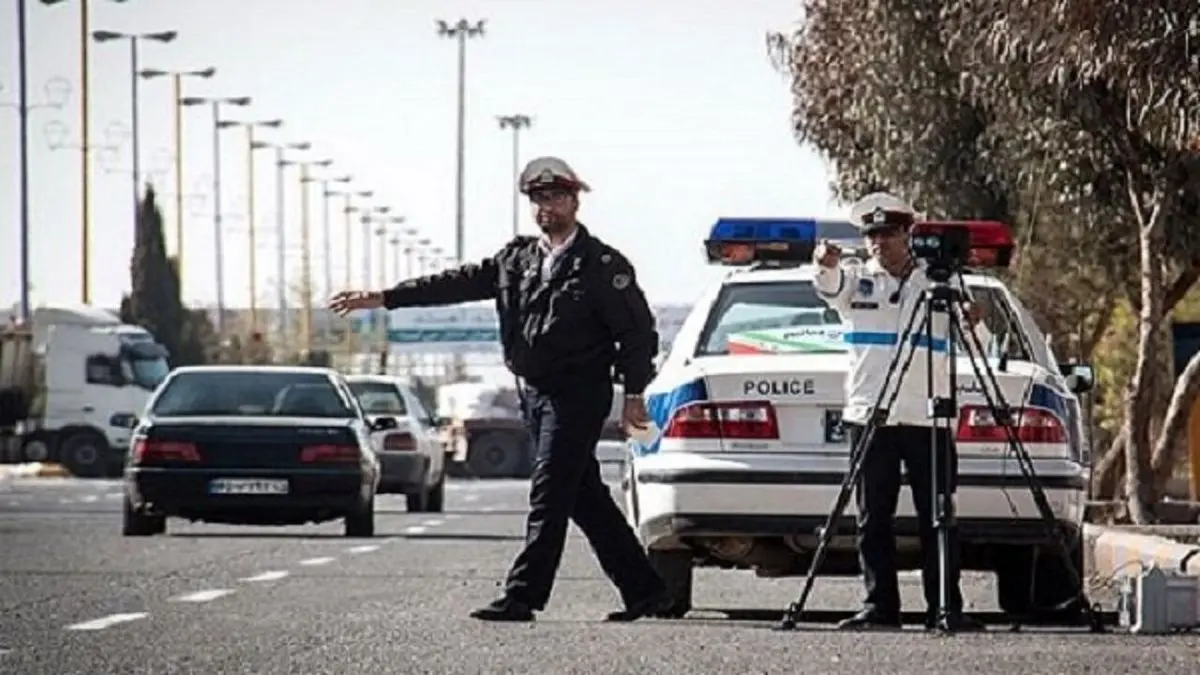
(589, 318)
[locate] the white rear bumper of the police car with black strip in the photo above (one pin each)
(677, 498)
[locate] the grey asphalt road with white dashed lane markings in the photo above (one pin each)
(79, 599)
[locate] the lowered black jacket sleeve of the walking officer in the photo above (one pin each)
(628, 316)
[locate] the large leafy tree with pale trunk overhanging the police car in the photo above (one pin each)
(1067, 118)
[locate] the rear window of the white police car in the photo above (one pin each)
(790, 318)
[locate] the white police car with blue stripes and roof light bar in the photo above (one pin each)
(747, 455)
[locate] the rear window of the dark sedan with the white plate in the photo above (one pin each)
(251, 393)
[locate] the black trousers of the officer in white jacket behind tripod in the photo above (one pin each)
(878, 495)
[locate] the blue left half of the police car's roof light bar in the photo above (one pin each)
(742, 242)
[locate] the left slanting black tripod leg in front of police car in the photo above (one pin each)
(859, 453)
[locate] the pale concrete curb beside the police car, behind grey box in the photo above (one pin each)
(1115, 553)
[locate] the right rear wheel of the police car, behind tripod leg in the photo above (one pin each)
(1036, 584)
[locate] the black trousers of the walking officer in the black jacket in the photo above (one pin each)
(566, 426)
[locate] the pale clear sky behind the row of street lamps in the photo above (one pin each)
(670, 110)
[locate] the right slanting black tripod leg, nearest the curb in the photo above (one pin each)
(1001, 411)
